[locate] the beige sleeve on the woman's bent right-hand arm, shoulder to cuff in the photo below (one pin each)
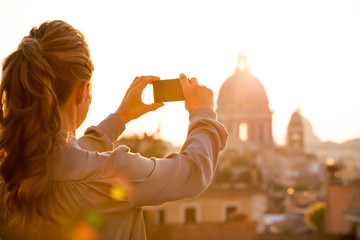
(180, 175)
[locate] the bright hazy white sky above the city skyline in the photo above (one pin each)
(306, 54)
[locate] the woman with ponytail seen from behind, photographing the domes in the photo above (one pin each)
(51, 182)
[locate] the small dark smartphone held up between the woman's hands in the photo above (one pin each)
(168, 90)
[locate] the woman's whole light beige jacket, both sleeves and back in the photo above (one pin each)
(101, 189)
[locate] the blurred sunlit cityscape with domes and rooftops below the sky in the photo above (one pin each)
(305, 189)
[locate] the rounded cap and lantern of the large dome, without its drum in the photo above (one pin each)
(242, 90)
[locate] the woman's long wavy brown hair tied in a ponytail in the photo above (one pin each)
(37, 79)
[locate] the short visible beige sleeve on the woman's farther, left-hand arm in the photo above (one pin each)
(100, 138)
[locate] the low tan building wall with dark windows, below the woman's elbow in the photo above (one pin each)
(211, 207)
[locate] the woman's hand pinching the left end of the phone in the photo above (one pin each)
(132, 105)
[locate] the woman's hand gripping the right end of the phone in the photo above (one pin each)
(196, 96)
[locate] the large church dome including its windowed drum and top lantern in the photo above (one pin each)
(242, 106)
